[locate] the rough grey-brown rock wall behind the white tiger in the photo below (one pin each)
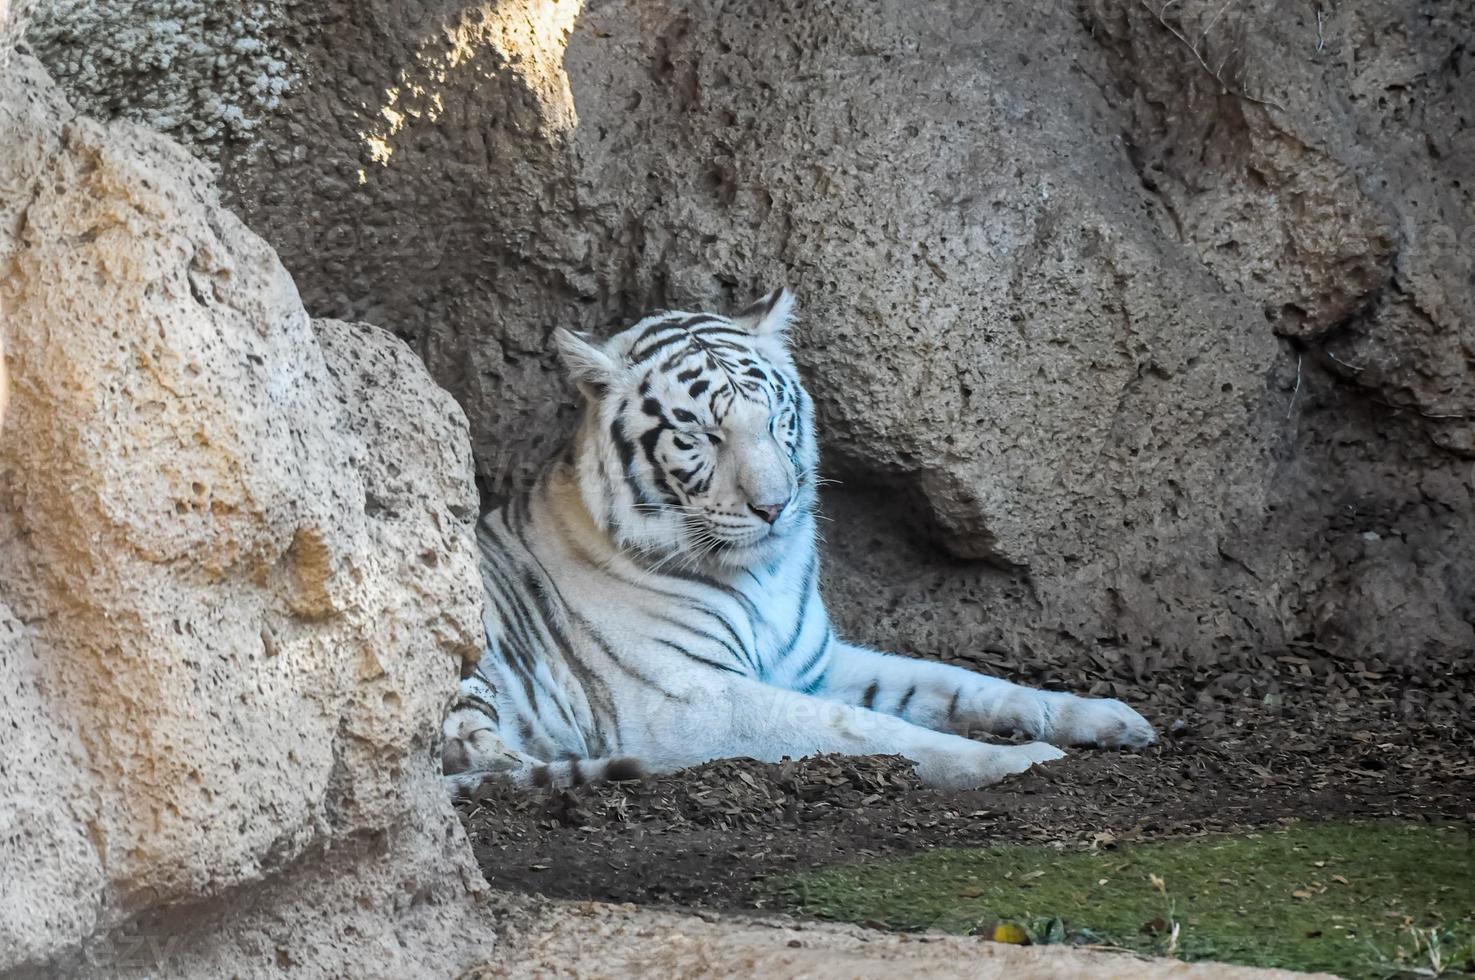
(1156, 328)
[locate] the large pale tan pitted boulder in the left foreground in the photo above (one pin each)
(237, 587)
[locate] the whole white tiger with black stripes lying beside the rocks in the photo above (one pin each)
(654, 598)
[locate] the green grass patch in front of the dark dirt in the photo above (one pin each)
(1355, 900)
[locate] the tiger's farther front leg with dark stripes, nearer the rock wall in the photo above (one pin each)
(955, 700)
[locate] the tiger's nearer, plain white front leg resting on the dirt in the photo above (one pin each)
(738, 717)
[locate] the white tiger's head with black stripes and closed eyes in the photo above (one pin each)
(697, 448)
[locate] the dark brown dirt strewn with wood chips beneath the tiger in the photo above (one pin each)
(1337, 742)
